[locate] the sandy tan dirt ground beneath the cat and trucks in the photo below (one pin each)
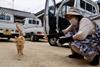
(38, 54)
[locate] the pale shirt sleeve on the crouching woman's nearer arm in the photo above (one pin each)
(85, 28)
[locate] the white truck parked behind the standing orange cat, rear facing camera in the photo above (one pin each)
(33, 29)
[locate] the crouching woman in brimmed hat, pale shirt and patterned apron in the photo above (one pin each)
(85, 37)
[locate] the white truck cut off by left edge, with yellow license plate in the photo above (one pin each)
(7, 26)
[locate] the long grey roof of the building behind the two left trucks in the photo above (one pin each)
(18, 15)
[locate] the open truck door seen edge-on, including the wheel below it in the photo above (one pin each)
(50, 21)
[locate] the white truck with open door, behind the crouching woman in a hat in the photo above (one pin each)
(54, 18)
